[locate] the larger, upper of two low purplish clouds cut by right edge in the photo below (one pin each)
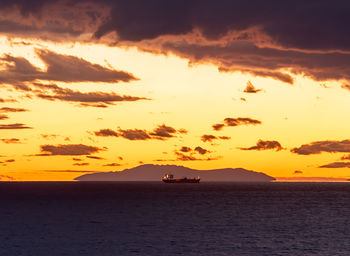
(317, 147)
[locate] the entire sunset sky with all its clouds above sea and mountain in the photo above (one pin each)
(98, 86)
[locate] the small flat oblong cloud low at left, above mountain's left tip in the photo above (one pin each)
(68, 150)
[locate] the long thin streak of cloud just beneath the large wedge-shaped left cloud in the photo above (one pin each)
(89, 99)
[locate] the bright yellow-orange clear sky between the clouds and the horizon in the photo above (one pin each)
(182, 96)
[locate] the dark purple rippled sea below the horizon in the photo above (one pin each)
(121, 218)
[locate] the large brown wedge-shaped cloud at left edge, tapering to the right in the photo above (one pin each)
(63, 68)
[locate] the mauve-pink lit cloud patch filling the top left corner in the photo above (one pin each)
(51, 20)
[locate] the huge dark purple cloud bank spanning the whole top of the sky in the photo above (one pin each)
(273, 39)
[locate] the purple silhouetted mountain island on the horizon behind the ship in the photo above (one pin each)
(150, 172)
